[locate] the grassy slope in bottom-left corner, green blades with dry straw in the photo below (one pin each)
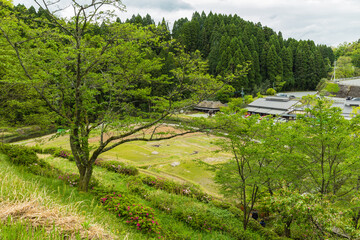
(48, 204)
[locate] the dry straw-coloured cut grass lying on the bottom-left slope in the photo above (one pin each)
(40, 216)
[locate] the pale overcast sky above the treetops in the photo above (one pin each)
(328, 22)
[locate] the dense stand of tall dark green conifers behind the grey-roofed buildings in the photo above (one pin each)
(227, 41)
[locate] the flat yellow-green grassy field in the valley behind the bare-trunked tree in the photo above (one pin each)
(194, 152)
